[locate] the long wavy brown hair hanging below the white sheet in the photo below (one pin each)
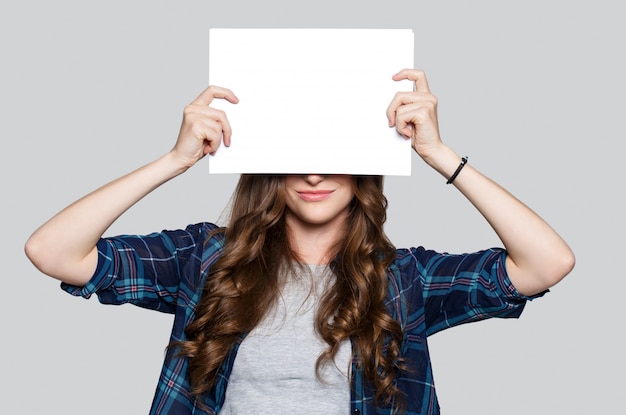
(243, 284)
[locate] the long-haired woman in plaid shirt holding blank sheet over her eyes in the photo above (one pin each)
(301, 302)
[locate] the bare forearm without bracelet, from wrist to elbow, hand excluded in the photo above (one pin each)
(65, 246)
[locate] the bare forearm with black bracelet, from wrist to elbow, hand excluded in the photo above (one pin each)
(538, 257)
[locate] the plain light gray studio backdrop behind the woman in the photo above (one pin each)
(532, 91)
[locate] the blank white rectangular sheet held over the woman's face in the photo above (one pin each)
(311, 100)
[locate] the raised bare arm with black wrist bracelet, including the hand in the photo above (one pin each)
(537, 256)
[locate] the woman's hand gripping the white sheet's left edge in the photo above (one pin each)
(203, 128)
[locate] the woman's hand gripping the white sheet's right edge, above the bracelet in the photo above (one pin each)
(414, 114)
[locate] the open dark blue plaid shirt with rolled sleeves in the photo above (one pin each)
(428, 292)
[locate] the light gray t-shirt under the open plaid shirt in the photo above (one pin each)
(274, 371)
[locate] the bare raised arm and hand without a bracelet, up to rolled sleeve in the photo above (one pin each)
(65, 246)
